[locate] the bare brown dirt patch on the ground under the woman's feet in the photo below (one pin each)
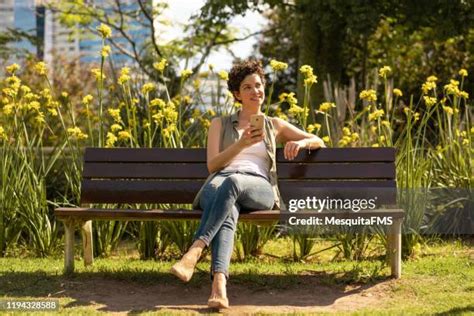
(122, 297)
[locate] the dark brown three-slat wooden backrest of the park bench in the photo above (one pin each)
(158, 175)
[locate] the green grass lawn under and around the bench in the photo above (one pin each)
(439, 279)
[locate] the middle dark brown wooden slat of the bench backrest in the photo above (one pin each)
(199, 171)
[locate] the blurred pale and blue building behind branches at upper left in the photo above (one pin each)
(49, 38)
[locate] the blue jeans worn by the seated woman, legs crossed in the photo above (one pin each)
(222, 199)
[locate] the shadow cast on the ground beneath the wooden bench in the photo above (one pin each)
(140, 291)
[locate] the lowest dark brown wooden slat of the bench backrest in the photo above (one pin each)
(173, 191)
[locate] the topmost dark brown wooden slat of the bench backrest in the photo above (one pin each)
(384, 154)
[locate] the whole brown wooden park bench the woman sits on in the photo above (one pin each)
(157, 175)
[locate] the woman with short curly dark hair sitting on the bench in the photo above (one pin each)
(241, 161)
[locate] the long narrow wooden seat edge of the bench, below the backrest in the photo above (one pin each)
(263, 215)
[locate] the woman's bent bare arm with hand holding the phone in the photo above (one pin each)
(219, 160)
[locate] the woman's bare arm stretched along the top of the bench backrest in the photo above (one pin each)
(294, 138)
